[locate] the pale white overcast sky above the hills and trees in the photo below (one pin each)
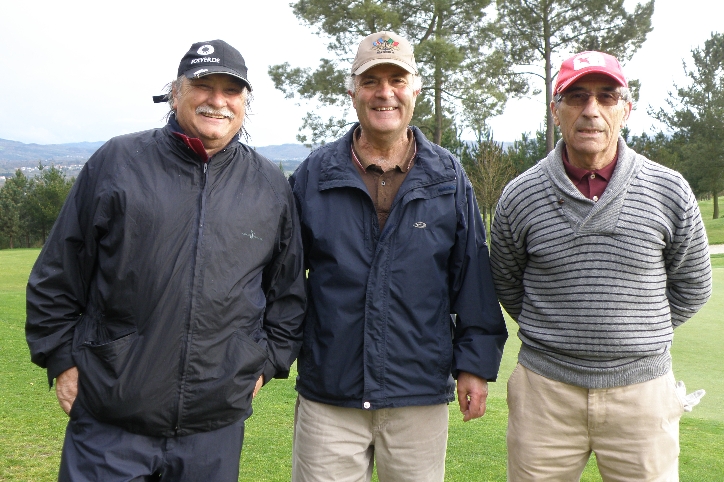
(77, 71)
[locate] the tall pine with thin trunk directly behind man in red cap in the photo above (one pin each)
(533, 31)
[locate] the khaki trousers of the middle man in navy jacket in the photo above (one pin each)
(339, 444)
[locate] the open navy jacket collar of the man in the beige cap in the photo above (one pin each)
(338, 170)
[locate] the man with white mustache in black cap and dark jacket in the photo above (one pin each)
(170, 288)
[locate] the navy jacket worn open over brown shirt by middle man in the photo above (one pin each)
(378, 331)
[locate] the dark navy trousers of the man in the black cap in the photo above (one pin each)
(94, 451)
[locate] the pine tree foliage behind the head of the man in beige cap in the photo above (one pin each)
(452, 47)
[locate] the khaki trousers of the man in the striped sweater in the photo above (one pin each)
(553, 427)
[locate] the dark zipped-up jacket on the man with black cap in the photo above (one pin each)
(170, 283)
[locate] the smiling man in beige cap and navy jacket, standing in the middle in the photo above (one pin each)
(394, 245)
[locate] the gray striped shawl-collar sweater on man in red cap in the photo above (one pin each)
(597, 288)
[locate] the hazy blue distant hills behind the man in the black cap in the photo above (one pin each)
(15, 155)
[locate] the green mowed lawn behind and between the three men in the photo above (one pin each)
(32, 424)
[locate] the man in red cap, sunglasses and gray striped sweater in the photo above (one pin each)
(598, 253)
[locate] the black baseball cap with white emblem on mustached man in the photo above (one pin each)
(210, 57)
